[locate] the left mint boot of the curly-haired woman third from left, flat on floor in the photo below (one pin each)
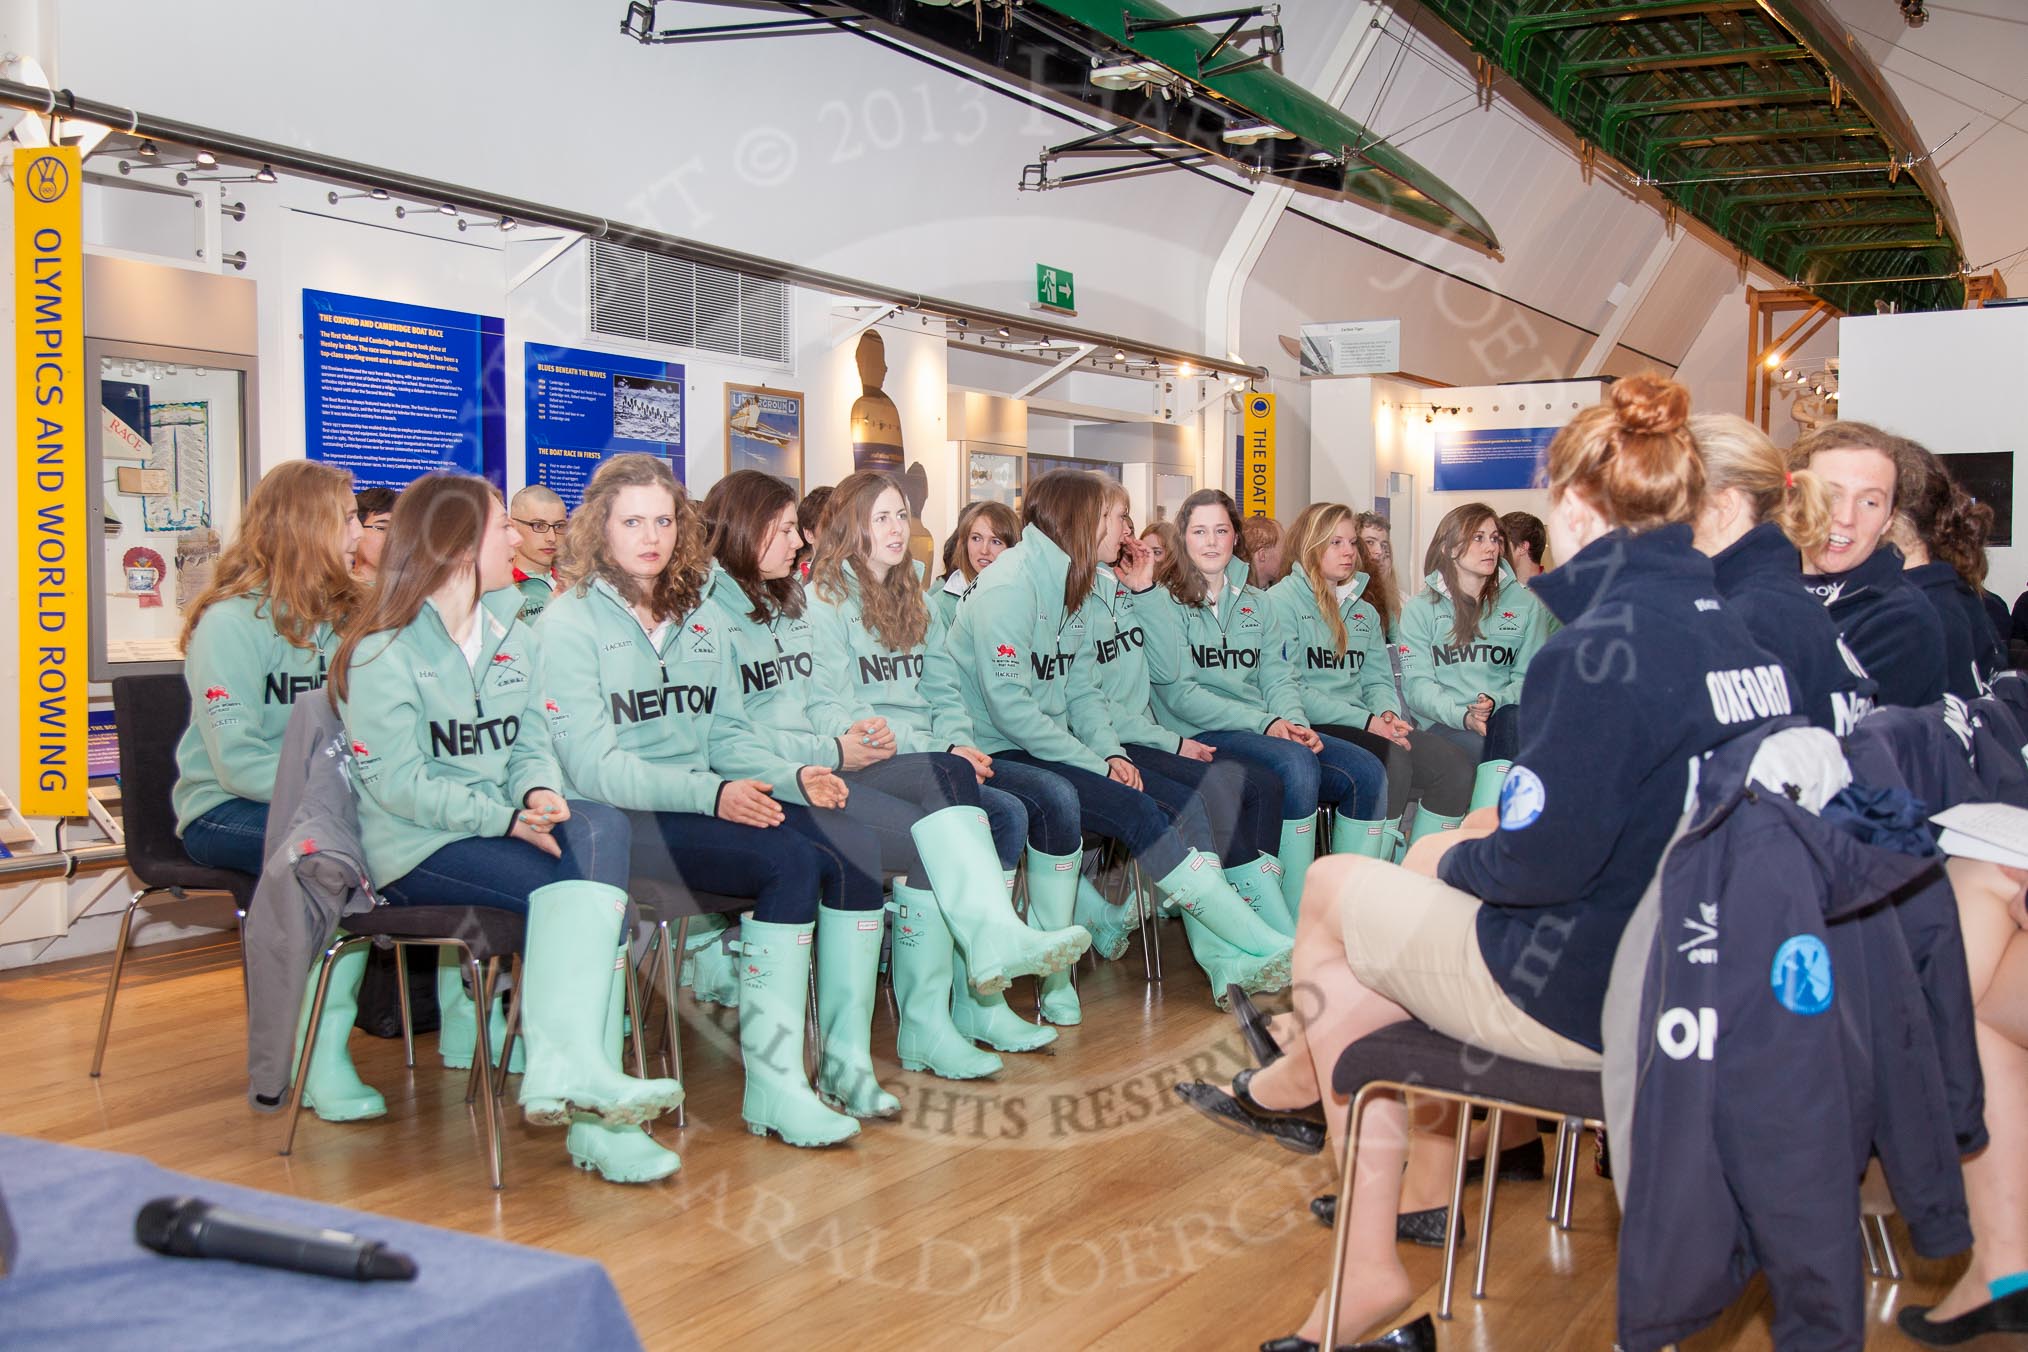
(774, 1021)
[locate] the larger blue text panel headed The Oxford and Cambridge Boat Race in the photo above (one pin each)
(394, 392)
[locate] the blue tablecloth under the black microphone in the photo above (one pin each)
(82, 1282)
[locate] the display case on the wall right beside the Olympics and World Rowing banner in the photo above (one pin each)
(169, 455)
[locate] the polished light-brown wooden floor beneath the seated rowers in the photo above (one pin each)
(1072, 1203)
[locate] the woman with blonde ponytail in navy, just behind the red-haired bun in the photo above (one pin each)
(1759, 524)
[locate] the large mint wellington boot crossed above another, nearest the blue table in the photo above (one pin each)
(575, 956)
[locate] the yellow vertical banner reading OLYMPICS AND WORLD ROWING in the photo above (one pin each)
(50, 457)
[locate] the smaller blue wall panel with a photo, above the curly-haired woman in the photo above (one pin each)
(587, 406)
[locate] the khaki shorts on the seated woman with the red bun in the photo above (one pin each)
(1417, 942)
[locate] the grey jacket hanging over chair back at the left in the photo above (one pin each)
(315, 877)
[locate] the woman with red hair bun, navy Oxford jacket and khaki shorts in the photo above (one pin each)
(1589, 810)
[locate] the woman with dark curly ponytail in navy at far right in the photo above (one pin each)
(1942, 536)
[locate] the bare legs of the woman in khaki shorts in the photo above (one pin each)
(1335, 1012)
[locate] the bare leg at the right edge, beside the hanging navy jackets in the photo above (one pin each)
(1997, 1179)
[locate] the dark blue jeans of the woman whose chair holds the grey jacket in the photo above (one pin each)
(498, 871)
